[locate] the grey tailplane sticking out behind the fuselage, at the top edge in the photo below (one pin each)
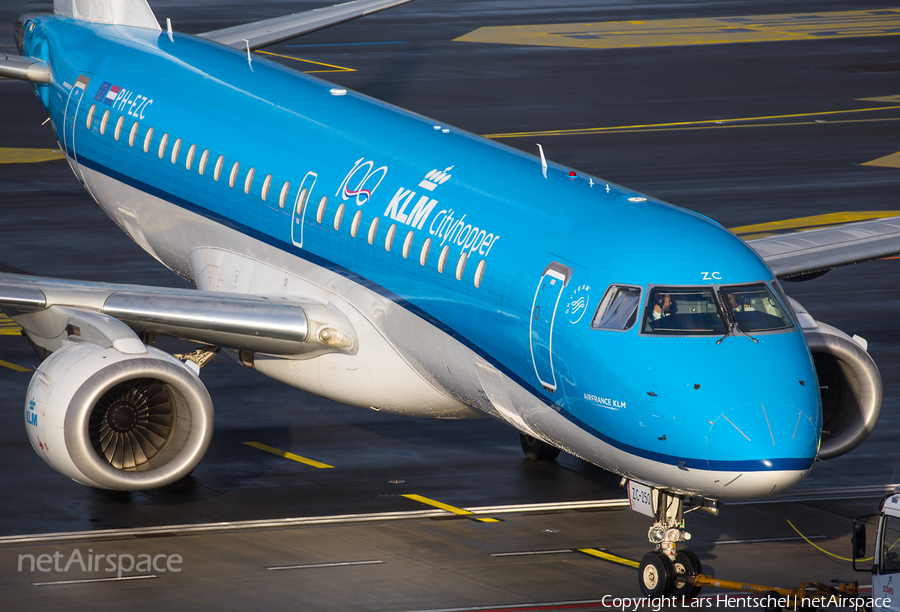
(271, 31)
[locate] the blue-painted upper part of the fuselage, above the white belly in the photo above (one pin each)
(734, 406)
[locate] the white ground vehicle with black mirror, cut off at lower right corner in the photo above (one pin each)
(886, 560)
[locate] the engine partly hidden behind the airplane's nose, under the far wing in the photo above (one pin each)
(849, 384)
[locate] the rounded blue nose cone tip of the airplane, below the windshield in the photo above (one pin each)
(763, 438)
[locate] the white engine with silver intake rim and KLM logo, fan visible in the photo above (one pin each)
(118, 421)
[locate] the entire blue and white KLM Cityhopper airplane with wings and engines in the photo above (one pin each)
(385, 260)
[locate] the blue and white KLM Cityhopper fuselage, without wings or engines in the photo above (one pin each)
(471, 274)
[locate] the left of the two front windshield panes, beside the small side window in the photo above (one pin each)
(689, 311)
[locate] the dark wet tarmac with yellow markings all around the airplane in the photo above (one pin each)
(256, 531)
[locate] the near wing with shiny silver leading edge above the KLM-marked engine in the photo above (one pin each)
(55, 312)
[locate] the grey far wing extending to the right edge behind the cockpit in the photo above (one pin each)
(819, 250)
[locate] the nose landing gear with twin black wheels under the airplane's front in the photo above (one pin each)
(667, 571)
